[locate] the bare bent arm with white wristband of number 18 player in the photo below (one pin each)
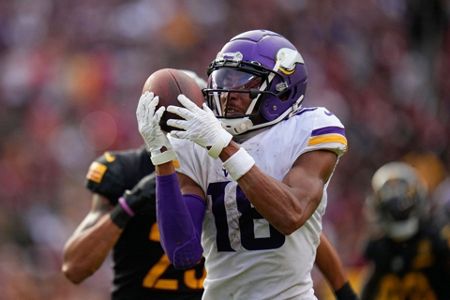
(286, 204)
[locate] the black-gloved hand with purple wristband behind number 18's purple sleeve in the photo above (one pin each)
(140, 200)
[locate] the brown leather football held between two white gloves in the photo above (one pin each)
(167, 84)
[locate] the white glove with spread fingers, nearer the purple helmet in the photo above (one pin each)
(200, 126)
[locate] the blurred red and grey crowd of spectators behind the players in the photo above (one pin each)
(71, 73)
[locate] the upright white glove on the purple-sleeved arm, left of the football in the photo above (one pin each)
(148, 122)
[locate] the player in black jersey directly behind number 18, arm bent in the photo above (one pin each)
(124, 221)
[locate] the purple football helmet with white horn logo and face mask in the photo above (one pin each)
(265, 66)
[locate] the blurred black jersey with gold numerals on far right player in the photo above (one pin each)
(417, 268)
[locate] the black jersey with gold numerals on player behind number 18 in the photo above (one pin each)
(141, 269)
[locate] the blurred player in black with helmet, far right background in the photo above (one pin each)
(410, 257)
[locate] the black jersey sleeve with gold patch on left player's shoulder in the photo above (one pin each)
(106, 177)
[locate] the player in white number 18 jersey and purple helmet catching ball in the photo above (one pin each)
(253, 180)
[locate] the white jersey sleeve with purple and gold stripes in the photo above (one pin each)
(327, 133)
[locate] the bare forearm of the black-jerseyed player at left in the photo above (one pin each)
(86, 250)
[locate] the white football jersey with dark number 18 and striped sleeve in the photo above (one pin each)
(246, 257)
